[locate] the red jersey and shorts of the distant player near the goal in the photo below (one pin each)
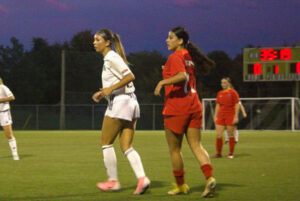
(227, 100)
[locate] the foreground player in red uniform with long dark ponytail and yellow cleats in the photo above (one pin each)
(183, 110)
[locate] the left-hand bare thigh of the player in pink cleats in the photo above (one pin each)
(110, 129)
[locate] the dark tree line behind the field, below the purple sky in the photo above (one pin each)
(34, 75)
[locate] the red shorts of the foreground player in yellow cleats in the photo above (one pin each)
(179, 123)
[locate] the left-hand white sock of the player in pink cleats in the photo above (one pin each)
(110, 161)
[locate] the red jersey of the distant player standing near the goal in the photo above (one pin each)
(227, 100)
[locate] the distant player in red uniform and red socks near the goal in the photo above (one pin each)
(226, 116)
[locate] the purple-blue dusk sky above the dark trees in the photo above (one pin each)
(227, 25)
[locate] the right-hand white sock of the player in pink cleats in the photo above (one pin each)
(135, 162)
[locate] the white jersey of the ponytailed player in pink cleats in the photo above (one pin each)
(114, 69)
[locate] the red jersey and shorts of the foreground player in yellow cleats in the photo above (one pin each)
(182, 108)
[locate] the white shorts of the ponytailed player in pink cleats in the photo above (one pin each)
(123, 106)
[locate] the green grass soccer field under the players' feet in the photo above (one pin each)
(66, 165)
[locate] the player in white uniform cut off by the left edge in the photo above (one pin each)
(5, 118)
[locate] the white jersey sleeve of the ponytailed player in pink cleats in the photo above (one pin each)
(118, 67)
